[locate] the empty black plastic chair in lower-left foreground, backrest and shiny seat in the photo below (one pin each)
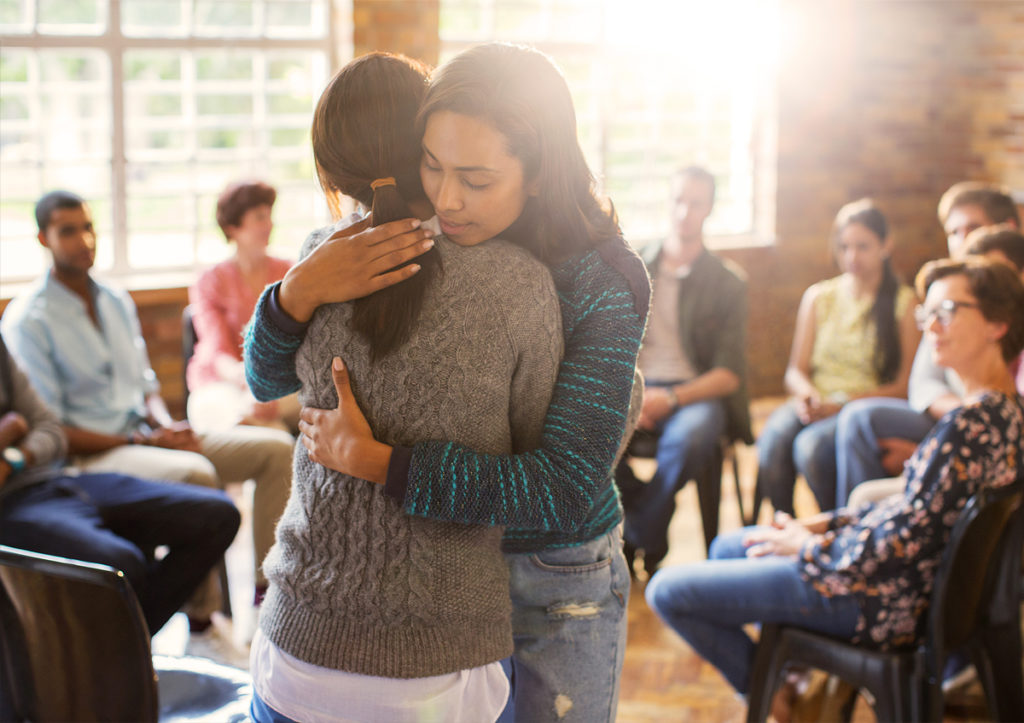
(74, 647)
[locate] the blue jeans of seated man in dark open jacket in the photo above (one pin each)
(686, 448)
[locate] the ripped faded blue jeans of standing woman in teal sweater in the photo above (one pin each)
(569, 620)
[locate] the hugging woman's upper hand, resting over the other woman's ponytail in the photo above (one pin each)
(355, 263)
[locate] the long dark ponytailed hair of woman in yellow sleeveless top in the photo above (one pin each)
(888, 352)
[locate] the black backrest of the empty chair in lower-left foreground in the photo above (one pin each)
(77, 637)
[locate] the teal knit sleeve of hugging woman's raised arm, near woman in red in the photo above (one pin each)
(272, 342)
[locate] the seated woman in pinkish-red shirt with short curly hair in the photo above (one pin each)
(223, 301)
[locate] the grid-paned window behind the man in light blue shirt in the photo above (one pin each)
(149, 109)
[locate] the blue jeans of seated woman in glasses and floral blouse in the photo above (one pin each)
(709, 603)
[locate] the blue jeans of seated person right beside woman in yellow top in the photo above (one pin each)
(862, 424)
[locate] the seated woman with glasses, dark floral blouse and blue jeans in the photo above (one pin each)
(867, 574)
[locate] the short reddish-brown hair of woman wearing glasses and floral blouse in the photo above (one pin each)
(999, 291)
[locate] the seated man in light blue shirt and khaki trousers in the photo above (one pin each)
(80, 343)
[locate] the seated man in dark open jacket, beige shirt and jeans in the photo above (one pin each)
(694, 363)
